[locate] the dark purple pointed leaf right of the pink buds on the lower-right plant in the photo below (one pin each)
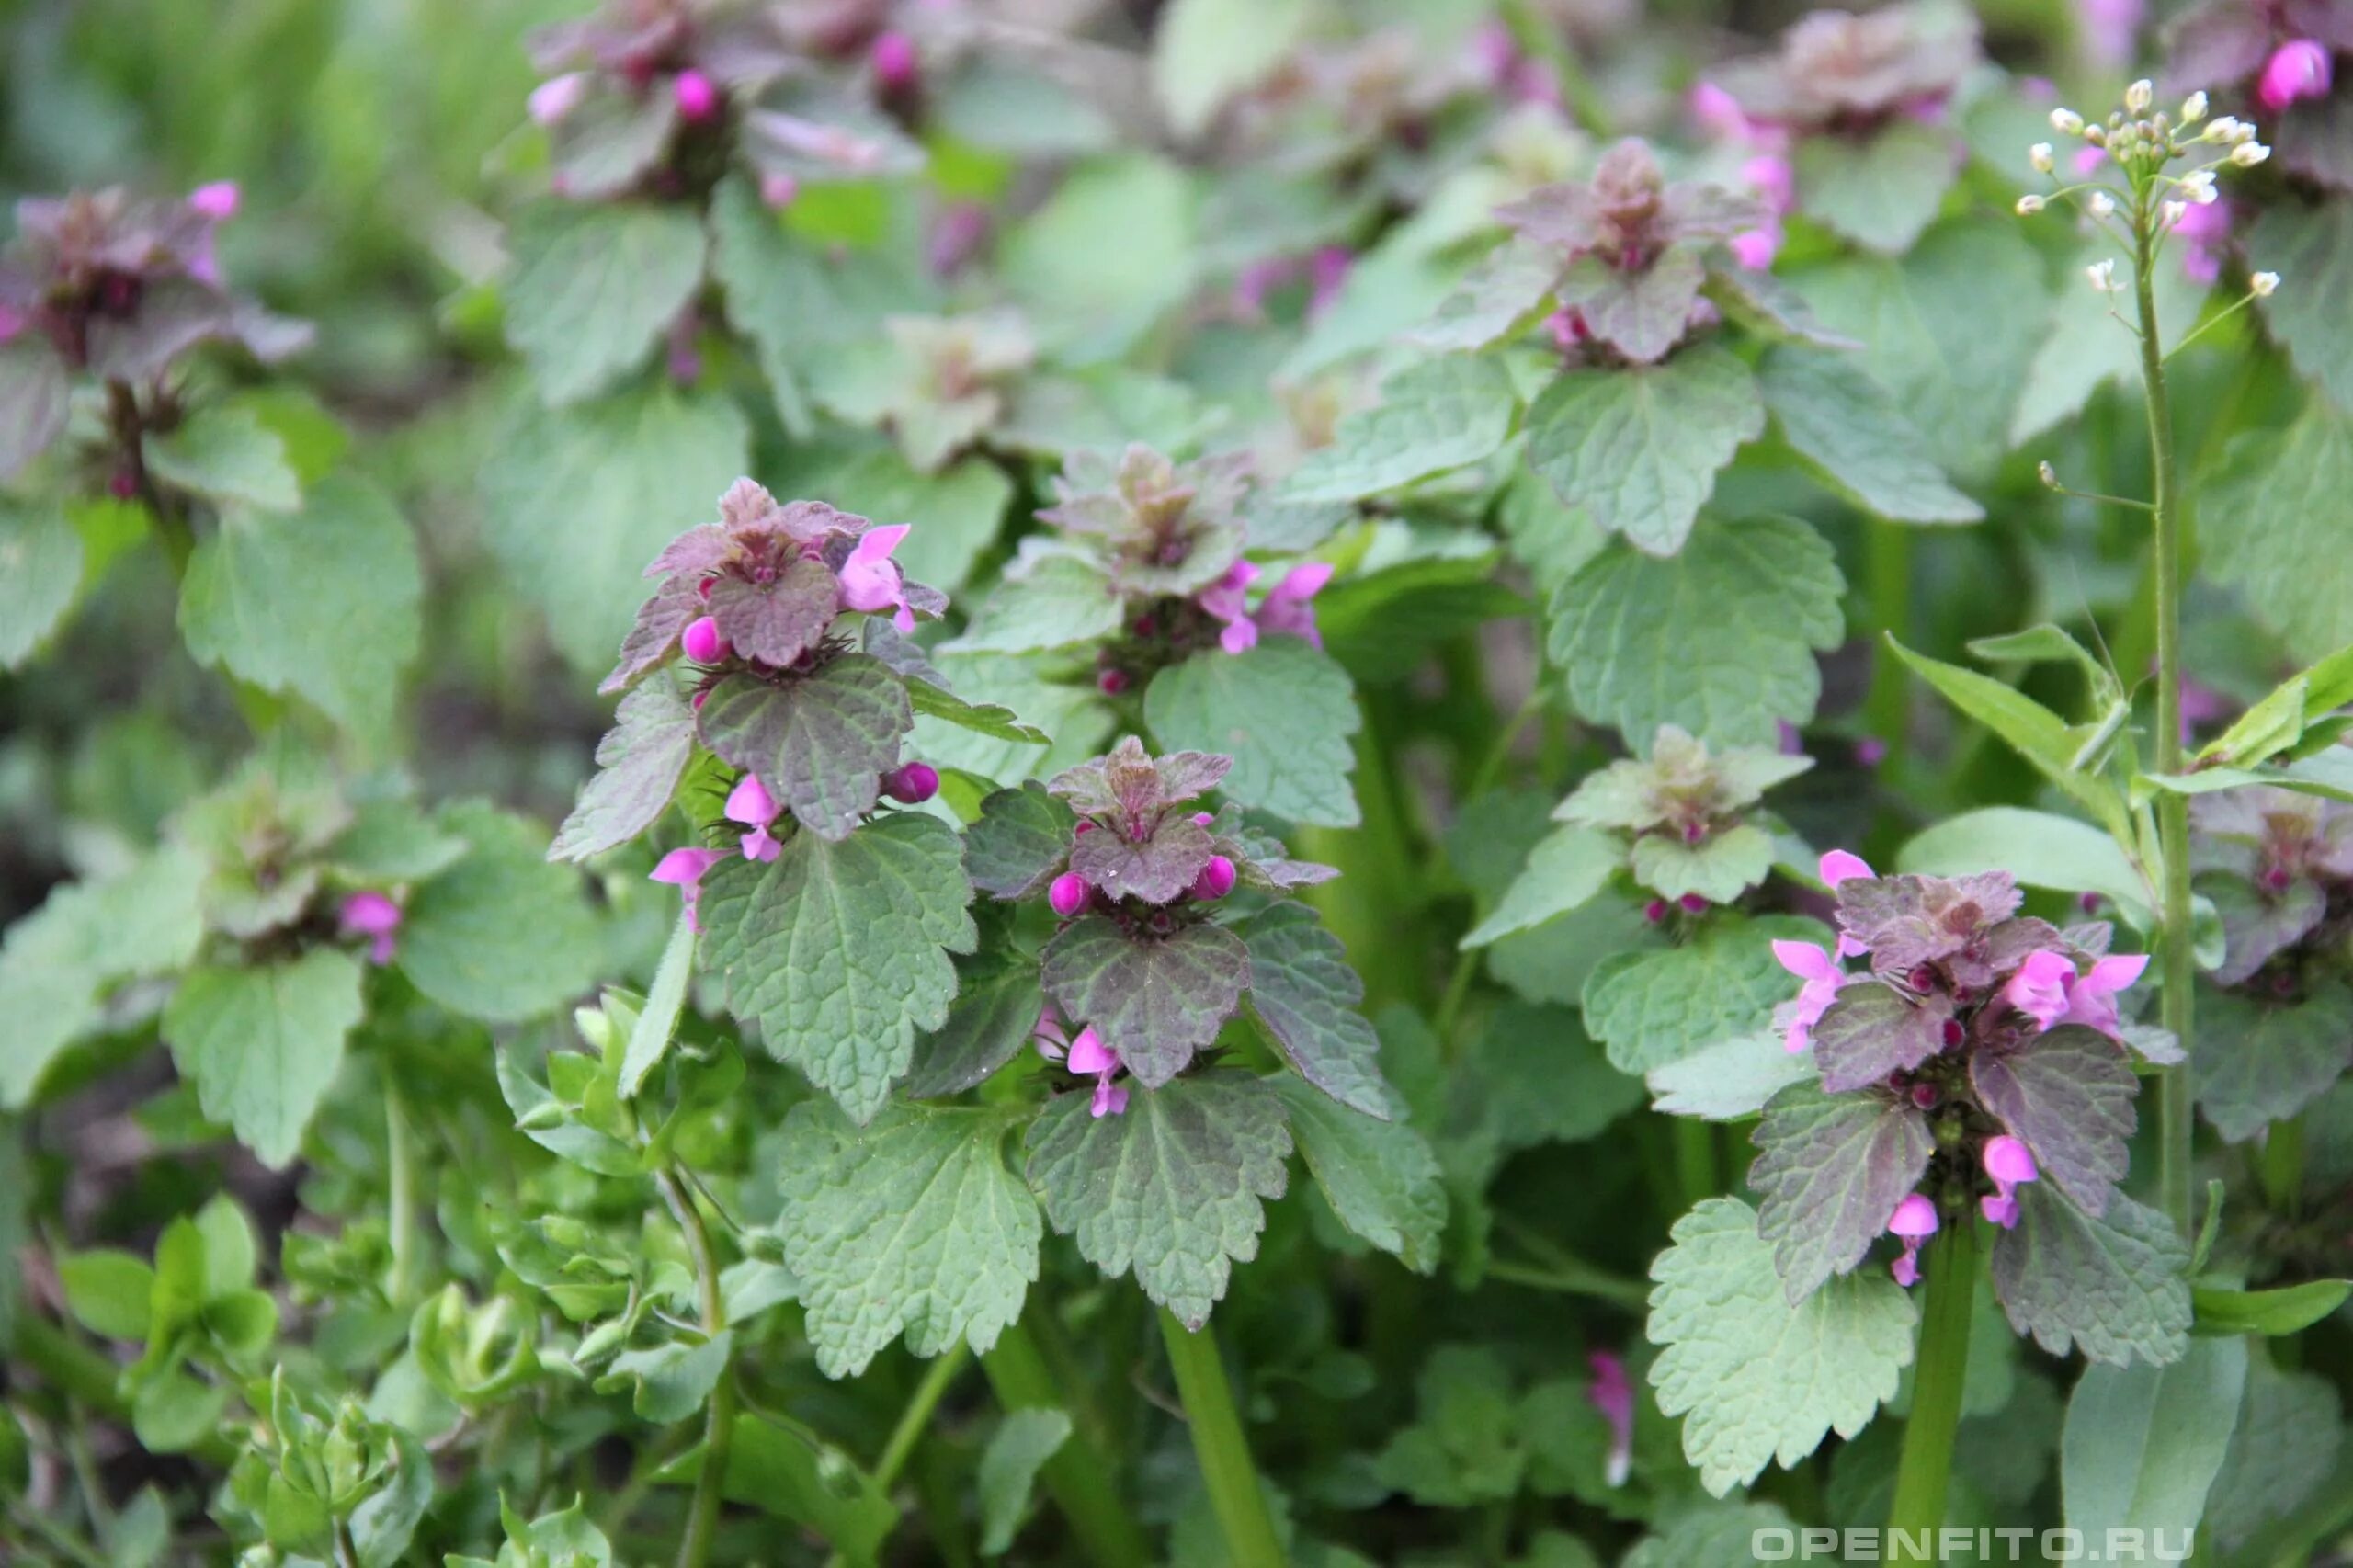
(2067, 1096)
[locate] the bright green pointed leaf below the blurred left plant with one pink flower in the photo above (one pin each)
(265, 1044)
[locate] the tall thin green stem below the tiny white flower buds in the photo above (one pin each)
(2166, 755)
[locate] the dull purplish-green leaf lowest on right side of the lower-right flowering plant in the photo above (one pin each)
(2107, 1287)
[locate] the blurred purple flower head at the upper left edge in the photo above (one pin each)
(119, 288)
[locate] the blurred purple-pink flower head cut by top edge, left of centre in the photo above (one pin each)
(648, 95)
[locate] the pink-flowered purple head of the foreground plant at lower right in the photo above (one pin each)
(1959, 992)
